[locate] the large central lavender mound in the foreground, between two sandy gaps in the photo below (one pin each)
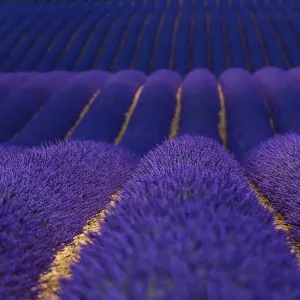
(187, 227)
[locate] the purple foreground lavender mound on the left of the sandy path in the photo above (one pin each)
(48, 194)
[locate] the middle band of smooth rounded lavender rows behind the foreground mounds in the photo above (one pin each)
(42, 107)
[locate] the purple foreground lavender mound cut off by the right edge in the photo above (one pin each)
(274, 168)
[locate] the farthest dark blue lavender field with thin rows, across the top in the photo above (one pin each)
(149, 35)
